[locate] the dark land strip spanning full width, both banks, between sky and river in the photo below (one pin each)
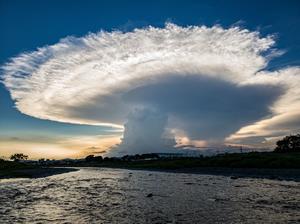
(270, 165)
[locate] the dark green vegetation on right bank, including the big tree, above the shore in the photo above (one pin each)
(286, 155)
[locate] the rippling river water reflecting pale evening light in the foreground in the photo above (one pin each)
(98, 195)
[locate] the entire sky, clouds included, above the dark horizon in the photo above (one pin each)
(238, 86)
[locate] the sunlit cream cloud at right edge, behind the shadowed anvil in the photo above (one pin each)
(285, 117)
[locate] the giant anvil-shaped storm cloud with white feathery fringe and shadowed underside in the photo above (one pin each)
(205, 84)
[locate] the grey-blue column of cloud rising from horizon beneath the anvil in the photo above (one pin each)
(144, 133)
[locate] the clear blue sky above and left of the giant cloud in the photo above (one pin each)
(26, 25)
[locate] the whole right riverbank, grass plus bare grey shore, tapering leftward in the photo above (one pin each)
(269, 165)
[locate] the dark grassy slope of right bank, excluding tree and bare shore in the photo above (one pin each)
(237, 160)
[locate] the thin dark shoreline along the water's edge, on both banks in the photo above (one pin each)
(233, 173)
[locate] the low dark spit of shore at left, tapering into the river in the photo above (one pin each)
(38, 172)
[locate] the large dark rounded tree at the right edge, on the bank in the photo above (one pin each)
(289, 144)
